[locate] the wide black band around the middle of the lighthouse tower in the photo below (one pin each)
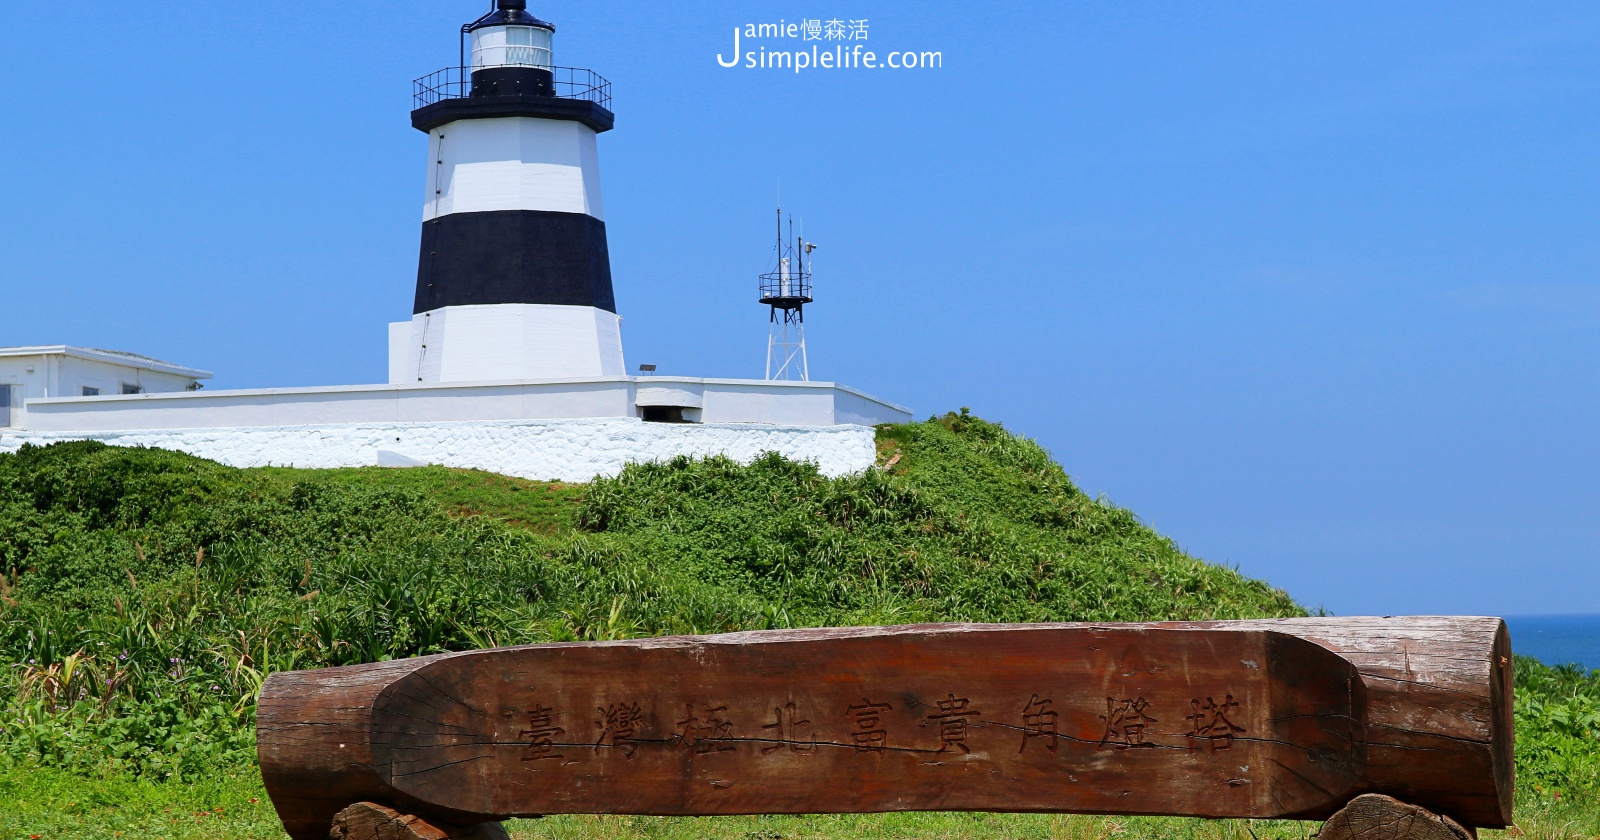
(514, 257)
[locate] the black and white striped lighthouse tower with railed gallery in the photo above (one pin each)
(514, 281)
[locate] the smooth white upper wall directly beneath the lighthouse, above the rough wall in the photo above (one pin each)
(724, 401)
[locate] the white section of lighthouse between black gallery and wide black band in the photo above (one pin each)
(513, 164)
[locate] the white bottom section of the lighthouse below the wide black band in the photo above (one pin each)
(506, 342)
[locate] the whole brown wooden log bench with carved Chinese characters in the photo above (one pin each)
(1377, 726)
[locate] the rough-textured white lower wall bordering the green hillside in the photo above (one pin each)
(553, 450)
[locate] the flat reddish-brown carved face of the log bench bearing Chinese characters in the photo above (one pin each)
(841, 721)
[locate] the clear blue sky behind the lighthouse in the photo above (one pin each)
(1310, 287)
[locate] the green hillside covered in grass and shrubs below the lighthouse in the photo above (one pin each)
(146, 594)
